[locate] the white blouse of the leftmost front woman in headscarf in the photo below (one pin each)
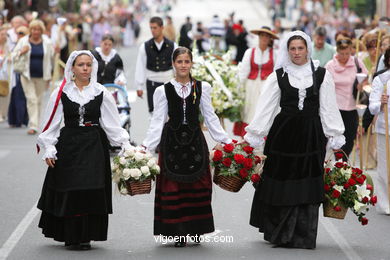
(109, 119)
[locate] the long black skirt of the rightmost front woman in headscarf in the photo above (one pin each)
(286, 201)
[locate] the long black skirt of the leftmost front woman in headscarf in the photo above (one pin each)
(76, 194)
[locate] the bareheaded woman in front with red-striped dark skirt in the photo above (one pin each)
(183, 190)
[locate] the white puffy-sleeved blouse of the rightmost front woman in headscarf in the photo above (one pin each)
(268, 107)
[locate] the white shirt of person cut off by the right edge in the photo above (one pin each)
(375, 100)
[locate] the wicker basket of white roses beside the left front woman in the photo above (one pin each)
(133, 172)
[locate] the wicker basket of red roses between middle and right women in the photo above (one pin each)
(236, 165)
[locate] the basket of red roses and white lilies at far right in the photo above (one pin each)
(347, 187)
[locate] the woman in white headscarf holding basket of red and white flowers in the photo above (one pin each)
(298, 114)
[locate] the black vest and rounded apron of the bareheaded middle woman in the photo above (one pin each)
(184, 148)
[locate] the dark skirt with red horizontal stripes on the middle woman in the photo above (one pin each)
(182, 209)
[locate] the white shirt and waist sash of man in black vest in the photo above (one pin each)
(142, 73)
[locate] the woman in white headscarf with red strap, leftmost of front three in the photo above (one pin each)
(76, 194)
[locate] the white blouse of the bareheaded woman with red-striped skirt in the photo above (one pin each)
(160, 114)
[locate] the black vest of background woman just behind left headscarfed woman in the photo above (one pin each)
(107, 72)
